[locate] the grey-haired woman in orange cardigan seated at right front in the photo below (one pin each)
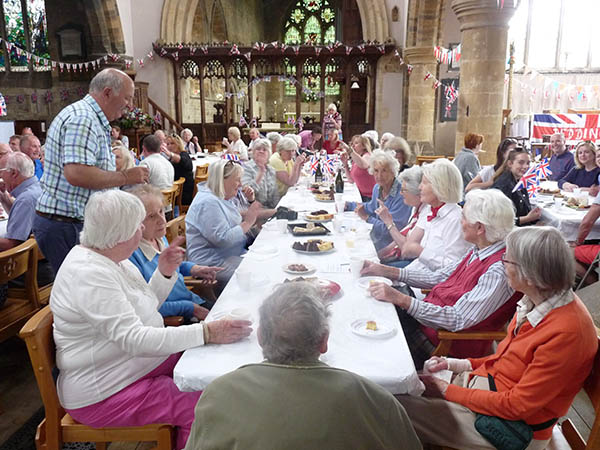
(537, 370)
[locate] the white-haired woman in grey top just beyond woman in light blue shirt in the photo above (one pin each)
(260, 176)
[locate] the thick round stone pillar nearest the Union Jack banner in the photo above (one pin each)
(484, 31)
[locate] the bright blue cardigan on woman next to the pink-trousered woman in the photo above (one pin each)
(180, 301)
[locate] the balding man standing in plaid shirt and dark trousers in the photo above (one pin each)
(79, 161)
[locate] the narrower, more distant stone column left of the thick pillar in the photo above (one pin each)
(421, 97)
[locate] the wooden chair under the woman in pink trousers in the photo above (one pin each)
(58, 427)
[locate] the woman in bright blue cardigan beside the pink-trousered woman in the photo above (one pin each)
(181, 301)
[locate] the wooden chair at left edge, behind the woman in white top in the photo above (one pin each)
(20, 304)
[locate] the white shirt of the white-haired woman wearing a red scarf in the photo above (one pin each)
(442, 242)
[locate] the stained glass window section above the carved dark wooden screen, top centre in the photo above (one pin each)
(310, 21)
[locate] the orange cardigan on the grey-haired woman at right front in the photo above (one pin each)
(538, 372)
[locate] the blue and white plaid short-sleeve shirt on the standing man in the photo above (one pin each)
(80, 134)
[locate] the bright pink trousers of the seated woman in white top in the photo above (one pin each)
(154, 398)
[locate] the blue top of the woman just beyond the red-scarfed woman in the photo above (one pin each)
(399, 210)
